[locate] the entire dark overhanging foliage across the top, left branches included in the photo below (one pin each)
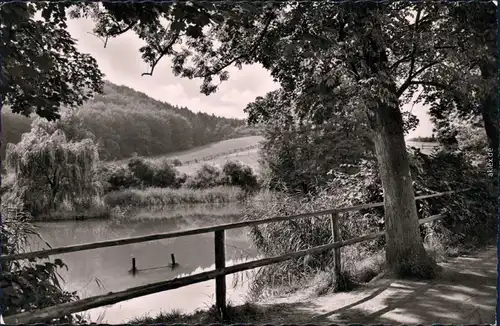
(323, 54)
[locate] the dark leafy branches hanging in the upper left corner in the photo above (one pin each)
(42, 69)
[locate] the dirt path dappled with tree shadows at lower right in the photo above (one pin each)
(465, 293)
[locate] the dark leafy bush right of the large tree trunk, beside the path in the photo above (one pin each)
(471, 217)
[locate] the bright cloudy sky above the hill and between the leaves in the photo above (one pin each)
(121, 63)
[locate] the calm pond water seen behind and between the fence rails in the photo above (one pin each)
(105, 270)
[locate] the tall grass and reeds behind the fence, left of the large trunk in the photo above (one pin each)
(275, 239)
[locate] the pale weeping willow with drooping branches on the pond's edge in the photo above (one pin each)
(51, 171)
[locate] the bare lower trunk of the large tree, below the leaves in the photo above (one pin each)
(405, 253)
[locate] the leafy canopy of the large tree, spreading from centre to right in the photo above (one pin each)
(323, 54)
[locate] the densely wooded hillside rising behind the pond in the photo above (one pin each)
(125, 122)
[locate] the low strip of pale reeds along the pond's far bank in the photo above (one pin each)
(158, 197)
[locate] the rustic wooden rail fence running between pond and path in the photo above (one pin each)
(46, 314)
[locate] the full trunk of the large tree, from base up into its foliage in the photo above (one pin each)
(405, 253)
